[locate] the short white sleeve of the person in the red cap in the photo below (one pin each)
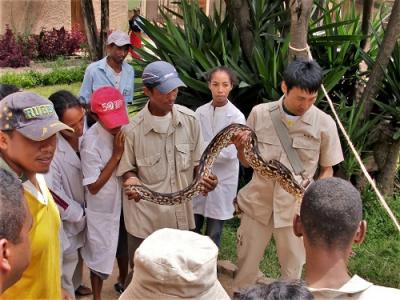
(91, 162)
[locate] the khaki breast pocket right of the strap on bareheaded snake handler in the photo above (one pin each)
(308, 149)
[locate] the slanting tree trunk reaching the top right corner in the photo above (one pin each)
(377, 74)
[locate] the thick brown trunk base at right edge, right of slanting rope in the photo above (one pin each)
(386, 154)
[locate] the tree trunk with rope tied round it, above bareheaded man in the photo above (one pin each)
(300, 11)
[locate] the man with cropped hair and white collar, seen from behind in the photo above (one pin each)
(328, 248)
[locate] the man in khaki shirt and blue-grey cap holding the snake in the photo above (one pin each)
(163, 145)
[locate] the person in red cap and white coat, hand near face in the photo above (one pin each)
(101, 151)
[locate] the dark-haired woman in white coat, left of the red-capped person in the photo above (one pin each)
(65, 181)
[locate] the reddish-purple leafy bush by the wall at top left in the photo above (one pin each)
(18, 50)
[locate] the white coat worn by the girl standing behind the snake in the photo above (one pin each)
(218, 203)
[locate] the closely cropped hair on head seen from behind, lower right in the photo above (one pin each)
(330, 212)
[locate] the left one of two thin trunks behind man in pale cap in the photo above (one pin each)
(90, 28)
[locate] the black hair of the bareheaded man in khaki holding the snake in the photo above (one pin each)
(303, 74)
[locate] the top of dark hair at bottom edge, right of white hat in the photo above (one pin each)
(277, 290)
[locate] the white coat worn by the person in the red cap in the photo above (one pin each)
(104, 208)
